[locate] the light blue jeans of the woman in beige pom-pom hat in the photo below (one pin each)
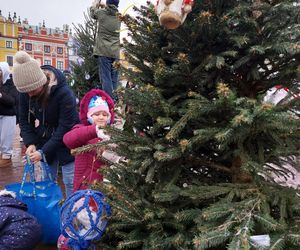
(67, 173)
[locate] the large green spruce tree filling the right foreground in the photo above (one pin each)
(205, 148)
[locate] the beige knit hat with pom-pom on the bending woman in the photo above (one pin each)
(27, 74)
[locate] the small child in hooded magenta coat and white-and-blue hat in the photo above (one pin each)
(96, 112)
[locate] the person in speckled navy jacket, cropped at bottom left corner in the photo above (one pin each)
(18, 229)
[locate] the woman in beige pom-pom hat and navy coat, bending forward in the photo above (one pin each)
(47, 112)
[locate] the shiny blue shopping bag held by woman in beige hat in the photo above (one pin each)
(43, 201)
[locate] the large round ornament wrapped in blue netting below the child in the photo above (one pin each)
(84, 218)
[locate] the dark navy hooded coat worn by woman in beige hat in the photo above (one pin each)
(54, 120)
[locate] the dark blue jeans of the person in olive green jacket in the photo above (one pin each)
(108, 75)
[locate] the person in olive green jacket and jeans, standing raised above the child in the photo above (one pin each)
(107, 46)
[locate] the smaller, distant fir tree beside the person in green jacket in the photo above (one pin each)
(85, 72)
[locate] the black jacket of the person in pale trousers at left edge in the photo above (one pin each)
(9, 99)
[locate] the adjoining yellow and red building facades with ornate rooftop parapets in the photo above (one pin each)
(46, 45)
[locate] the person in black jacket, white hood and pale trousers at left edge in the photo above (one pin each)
(8, 112)
